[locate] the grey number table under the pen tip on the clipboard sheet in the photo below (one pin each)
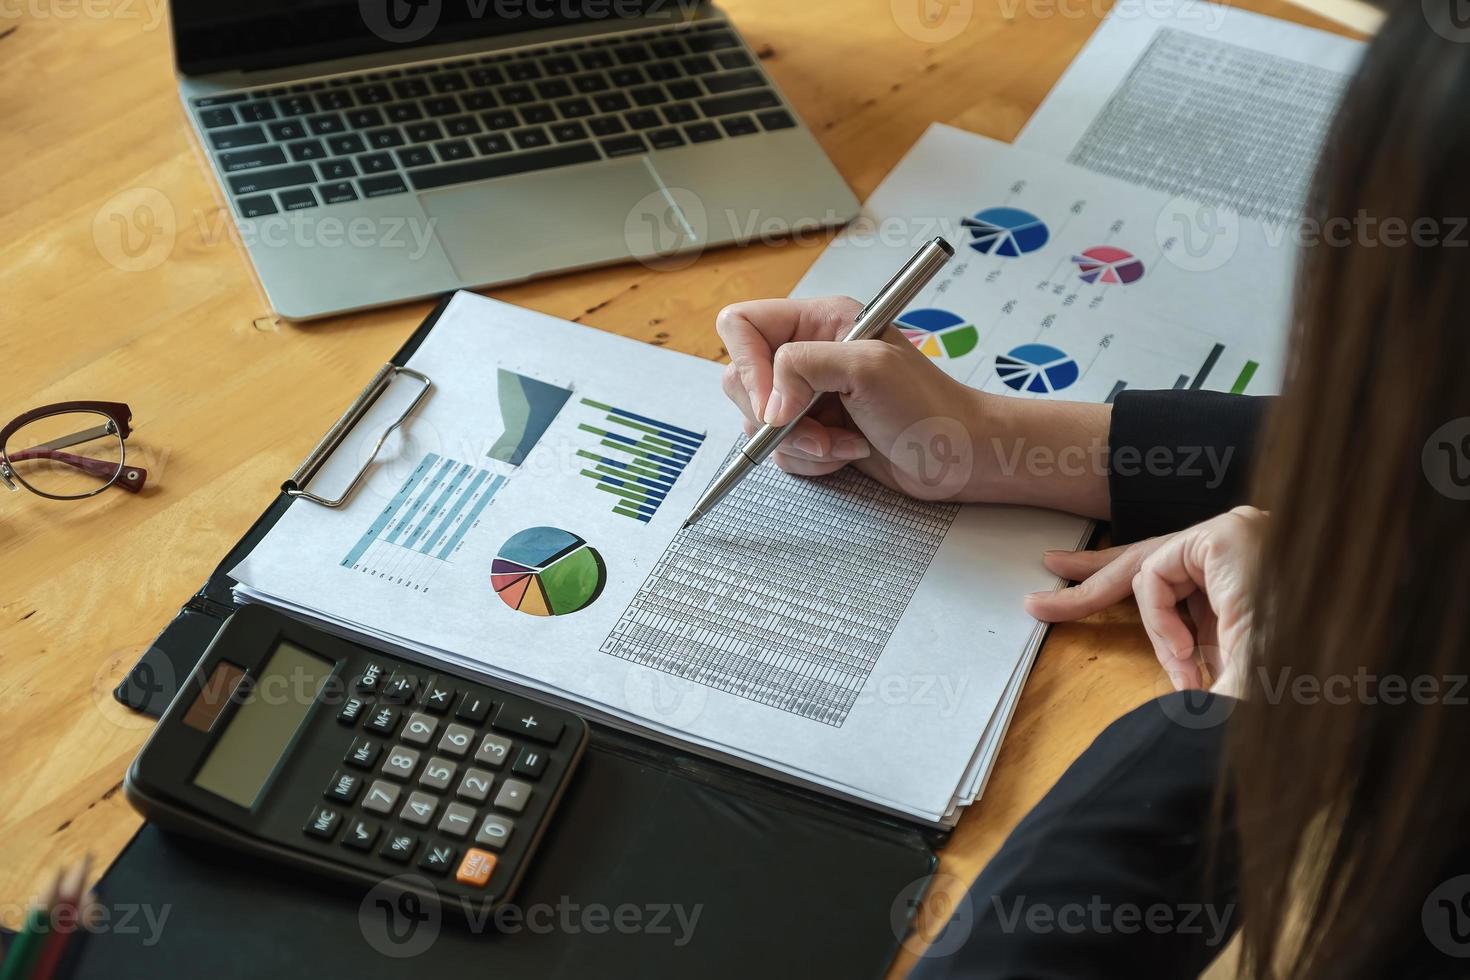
(787, 593)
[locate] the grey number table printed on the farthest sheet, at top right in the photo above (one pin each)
(1216, 123)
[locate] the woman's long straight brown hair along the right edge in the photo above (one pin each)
(1349, 781)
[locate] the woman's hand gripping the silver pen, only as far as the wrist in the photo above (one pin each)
(897, 417)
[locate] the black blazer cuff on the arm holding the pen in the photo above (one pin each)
(1180, 458)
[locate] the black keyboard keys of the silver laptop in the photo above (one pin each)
(433, 126)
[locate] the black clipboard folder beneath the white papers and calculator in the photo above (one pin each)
(787, 881)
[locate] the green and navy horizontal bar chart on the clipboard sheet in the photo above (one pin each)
(636, 459)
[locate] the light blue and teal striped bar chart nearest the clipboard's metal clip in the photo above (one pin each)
(424, 524)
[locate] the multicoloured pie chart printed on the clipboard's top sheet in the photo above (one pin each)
(548, 572)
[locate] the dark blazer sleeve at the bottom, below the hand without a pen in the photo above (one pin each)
(1115, 873)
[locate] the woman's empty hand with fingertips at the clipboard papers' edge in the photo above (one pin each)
(1209, 568)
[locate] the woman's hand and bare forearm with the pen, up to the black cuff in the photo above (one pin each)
(899, 418)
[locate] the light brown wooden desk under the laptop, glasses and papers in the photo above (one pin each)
(227, 399)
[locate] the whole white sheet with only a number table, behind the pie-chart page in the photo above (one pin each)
(1213, 104)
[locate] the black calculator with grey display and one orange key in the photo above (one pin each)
(346, 762)
